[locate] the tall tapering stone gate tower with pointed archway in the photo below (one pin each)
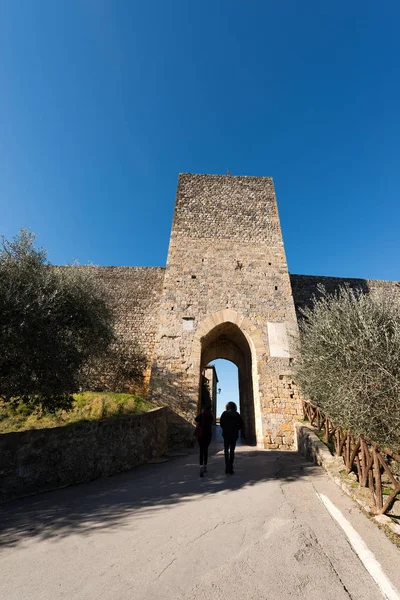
(227, 294)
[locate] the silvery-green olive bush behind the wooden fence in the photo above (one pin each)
(348, 361)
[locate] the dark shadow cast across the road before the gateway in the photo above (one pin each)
(108, 503)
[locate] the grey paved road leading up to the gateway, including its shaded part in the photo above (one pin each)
(160, 532)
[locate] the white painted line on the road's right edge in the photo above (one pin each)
(364, 554)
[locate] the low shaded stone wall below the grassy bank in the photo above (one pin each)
(43, 459)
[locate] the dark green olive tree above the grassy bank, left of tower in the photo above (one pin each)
(52, 321)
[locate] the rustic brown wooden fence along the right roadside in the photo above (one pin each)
(376, 467)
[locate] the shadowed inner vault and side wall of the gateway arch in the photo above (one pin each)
(228, 342)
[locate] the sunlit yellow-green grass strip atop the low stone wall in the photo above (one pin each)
(87, 406)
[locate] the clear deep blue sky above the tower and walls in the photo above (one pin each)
(103, 103)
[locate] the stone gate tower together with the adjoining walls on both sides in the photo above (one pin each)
(225, 293)
